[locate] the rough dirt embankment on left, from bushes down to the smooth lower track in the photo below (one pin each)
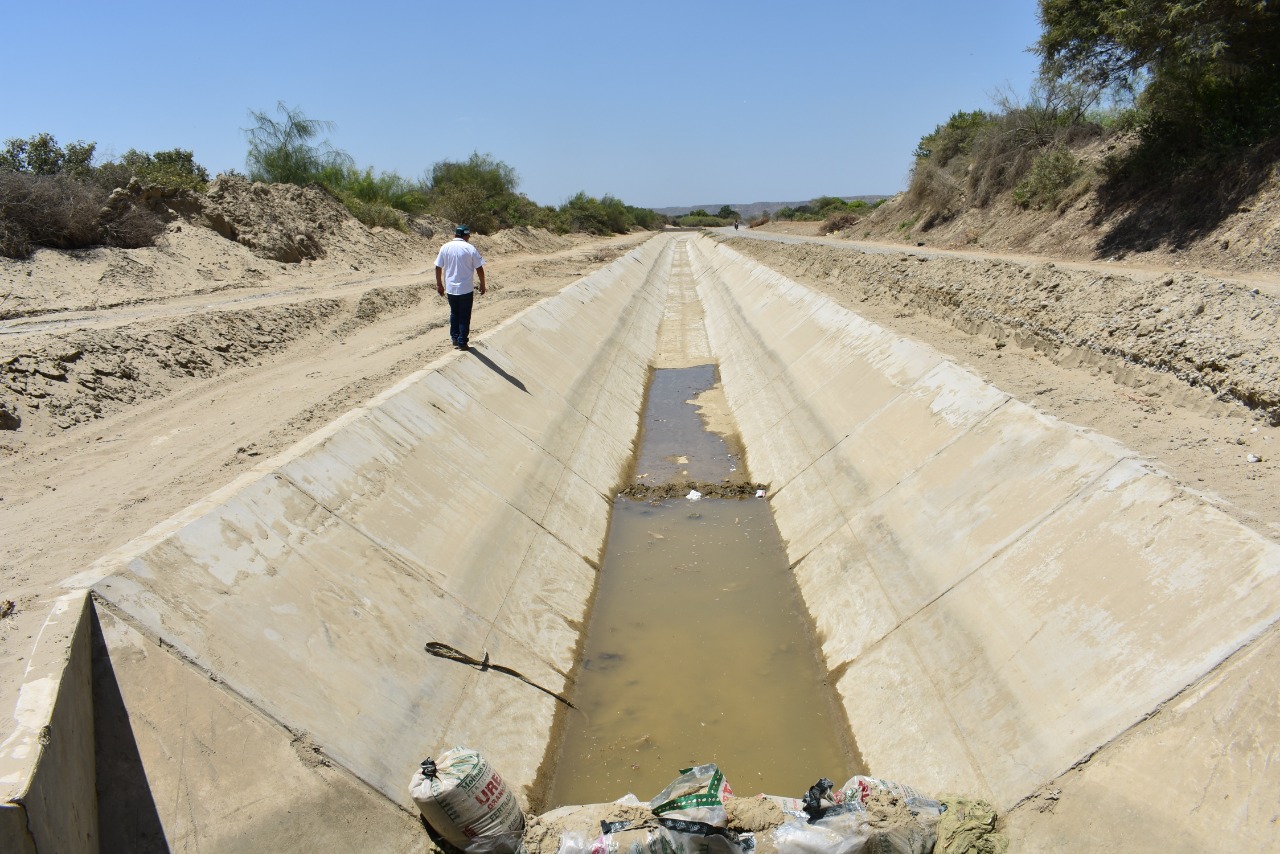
(244, 272)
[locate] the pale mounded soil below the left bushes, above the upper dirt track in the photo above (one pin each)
(239, 236)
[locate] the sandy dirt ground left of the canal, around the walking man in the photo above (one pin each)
(164, 398)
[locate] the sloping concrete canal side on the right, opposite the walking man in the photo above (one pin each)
(1000, 595)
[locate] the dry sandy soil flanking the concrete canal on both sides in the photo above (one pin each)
(135, 382)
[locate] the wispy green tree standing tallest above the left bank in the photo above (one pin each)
(282, 150)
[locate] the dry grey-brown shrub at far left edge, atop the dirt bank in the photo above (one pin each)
(61, 213)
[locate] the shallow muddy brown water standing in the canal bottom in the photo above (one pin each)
(700, 647)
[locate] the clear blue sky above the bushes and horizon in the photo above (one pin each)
(657, 103)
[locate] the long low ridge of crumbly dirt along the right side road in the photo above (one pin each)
(1212, 335)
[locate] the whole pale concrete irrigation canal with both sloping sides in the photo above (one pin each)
(1003, 602)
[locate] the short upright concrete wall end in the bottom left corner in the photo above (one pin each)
(47, 764)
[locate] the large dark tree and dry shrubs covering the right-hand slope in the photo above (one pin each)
(1165, 115)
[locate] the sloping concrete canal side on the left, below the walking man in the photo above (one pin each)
(468, 505)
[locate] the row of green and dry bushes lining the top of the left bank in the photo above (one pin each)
(56, 197)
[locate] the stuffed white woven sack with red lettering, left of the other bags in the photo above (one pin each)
(468, 803)
